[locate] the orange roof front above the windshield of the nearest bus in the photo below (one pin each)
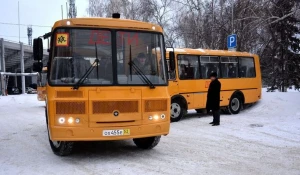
(107, 23)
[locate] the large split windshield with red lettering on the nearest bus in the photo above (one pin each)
(75, 52)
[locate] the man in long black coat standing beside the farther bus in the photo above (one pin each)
(213, 99)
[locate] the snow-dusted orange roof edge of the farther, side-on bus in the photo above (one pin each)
(190, 51)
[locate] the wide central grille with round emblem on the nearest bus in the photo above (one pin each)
(110, 106)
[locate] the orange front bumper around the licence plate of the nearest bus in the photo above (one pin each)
(96, 134)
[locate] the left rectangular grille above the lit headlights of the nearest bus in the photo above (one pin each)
(70, 107)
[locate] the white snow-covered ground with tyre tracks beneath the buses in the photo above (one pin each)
(262, 139)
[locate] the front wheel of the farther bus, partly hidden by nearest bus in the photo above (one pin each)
(177, 110)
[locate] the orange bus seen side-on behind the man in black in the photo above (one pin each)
(238, 72)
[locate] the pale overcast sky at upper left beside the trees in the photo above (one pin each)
(33, 12)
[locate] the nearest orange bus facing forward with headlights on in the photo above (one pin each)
(98, 88)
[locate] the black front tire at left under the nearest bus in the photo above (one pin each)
(58, 147)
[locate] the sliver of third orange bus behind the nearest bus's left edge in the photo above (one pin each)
(41, 84)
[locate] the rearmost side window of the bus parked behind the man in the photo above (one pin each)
(247, 68)
